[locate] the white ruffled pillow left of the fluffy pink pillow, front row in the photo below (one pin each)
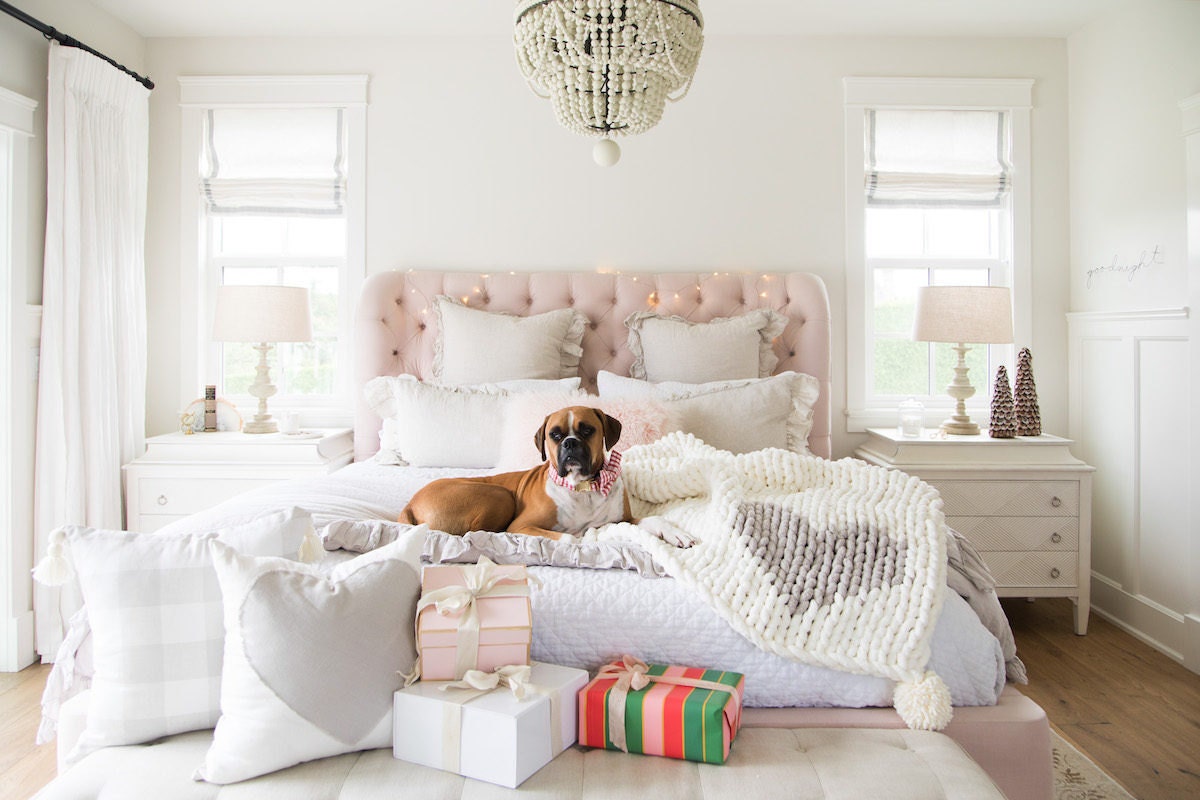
(431, 425)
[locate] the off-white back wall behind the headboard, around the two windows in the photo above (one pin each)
(469, 170)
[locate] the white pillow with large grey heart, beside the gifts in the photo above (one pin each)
(311, 663)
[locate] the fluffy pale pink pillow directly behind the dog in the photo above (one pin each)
(643, 422)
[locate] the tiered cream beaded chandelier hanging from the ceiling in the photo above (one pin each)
(609, 67)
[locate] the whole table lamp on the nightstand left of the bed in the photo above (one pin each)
(262, 315)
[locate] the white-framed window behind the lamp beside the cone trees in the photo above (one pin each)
(937, 188)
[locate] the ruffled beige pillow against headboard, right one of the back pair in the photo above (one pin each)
(727, 348)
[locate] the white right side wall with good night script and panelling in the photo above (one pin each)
(1133, 338)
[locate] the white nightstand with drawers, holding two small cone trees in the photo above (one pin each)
(1025, 503)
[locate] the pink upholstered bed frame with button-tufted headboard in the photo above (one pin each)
(395, 332)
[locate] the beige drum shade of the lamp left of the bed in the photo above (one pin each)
(262, 315)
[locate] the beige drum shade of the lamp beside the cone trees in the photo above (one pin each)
(964, 315)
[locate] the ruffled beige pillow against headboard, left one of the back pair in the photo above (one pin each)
(476, 346)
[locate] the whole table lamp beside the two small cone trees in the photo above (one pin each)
(962, 316)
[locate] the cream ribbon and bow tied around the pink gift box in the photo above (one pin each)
(482, 581)
